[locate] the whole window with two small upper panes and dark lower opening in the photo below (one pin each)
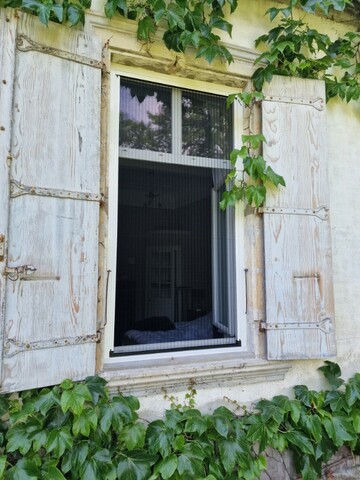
(175, 286)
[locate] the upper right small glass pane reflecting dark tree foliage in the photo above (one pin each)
(206, 125)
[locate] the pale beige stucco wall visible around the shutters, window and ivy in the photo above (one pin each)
(343, 125)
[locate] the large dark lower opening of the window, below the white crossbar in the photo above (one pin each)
(164, 258)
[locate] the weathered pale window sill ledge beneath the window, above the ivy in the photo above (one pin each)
(138, 378)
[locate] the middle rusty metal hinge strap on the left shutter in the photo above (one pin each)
(17, 190)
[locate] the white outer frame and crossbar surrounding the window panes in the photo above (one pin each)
(240, 303)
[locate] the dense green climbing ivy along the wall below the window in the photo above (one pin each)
(77, 431)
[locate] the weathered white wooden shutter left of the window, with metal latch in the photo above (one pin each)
(49, 319)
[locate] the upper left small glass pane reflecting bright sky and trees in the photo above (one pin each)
(145, 116)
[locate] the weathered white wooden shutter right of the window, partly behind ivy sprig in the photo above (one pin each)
(299, 290)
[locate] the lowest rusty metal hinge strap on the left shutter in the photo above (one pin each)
(12, 346)
